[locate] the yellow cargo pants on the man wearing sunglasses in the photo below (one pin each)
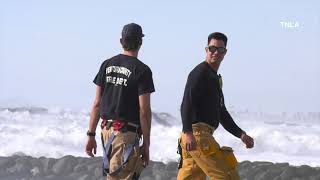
(209, 159)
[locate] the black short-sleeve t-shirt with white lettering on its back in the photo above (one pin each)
(123, 79)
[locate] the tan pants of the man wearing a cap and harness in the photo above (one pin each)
(133, 168)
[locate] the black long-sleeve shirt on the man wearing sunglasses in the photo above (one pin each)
(203, 101)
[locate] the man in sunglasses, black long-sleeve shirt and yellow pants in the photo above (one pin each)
(202, 110)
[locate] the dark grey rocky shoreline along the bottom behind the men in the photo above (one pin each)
(86, 168)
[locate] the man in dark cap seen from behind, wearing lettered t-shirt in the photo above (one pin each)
(124, 85)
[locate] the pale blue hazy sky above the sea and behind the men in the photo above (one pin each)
(50, 51)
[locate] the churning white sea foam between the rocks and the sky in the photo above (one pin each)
(279, 137)
